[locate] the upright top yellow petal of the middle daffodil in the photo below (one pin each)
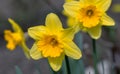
(53, 22)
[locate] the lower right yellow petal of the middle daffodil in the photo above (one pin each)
(72, 50)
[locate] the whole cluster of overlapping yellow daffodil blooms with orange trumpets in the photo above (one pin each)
(54, 42)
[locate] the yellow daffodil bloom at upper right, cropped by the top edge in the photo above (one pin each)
(90, 15)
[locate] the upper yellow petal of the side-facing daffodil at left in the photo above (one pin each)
(15, 26)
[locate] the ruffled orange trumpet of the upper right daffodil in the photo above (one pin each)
(89, 16)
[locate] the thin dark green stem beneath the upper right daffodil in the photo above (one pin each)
(94, 55)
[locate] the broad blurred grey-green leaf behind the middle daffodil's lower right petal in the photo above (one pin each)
(77, 66)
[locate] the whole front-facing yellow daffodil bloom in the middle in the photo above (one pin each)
(53, 42)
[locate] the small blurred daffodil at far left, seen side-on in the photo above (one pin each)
(15, 38)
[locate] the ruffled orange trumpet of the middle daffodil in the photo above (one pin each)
(50, 46)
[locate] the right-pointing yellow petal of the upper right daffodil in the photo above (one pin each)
(107, 21)
